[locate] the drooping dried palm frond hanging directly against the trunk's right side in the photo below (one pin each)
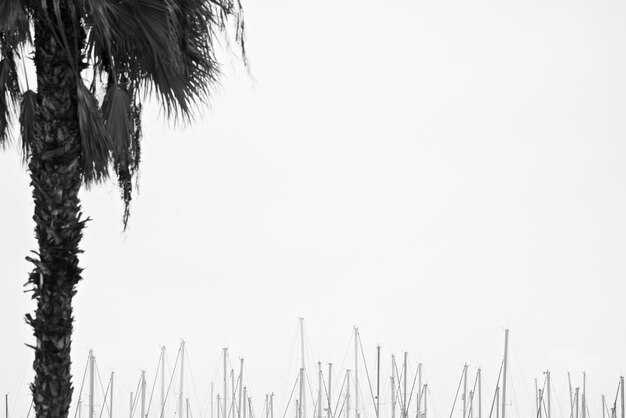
(95, 142)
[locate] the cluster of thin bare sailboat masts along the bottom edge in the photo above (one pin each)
(409, 397)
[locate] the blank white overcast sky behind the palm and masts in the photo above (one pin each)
(432, 172)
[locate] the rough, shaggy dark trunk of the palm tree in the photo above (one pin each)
(56, 179)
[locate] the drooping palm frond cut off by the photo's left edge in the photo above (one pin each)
(9, 95)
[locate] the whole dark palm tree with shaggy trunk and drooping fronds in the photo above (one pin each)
(121, 51)
